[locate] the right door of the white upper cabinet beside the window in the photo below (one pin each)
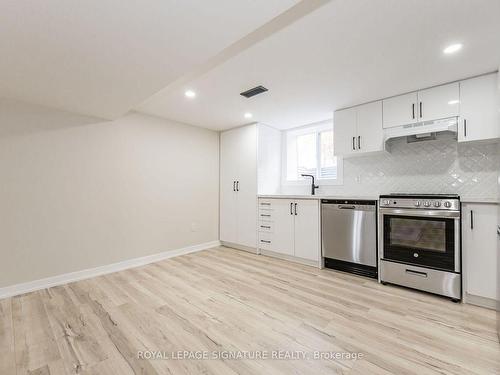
(369, 125)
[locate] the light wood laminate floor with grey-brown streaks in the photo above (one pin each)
(223, 301)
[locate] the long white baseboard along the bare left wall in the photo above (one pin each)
(48, 282)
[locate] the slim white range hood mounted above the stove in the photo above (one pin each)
(422, 131)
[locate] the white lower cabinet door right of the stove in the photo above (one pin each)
(480, 249)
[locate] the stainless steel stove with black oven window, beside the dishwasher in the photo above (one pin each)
(419, 242)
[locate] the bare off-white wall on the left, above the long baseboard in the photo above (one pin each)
(80, 196)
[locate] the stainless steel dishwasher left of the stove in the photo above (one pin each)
(349, 235)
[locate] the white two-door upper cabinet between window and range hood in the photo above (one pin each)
(358, 130)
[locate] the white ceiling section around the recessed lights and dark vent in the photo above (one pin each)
(344, 53)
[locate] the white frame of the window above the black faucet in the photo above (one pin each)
(317, 128)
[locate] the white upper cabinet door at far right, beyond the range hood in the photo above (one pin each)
(479, 116)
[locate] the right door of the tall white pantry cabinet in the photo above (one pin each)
(246, 184)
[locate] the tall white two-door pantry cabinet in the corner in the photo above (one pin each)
(238, 186)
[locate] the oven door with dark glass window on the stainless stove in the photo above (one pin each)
(429, 238)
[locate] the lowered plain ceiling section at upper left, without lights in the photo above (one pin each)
(102, 57)
